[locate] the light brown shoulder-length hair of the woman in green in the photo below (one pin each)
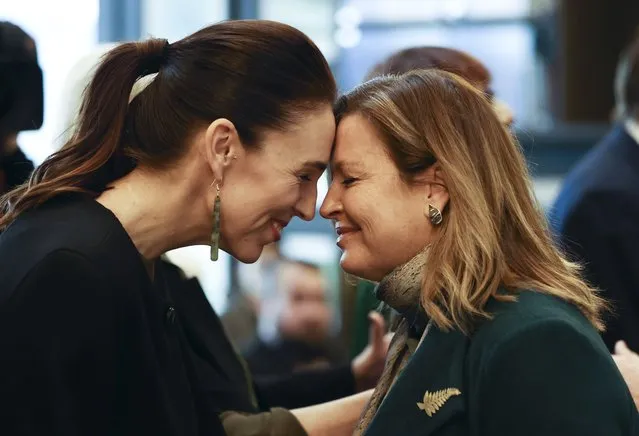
(494, 236)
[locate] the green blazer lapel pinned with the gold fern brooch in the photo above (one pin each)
(429, 392)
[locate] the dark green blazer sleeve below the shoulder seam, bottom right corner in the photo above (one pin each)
(551, 379)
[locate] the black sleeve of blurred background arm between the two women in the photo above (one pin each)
(307, 388)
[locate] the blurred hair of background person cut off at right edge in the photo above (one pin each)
(627, 81)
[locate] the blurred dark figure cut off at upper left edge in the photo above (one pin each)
(21, 102)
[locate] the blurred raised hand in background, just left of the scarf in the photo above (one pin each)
(369, 364)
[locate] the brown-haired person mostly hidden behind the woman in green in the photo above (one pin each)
(405, 60)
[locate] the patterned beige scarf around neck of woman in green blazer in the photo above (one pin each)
(401, 290)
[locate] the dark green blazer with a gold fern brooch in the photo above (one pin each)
(537, 368)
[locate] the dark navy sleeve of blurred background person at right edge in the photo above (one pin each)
(602, 232)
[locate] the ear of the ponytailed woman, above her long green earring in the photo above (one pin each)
(221, 146)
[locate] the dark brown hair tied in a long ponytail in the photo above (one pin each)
(258, 74)
